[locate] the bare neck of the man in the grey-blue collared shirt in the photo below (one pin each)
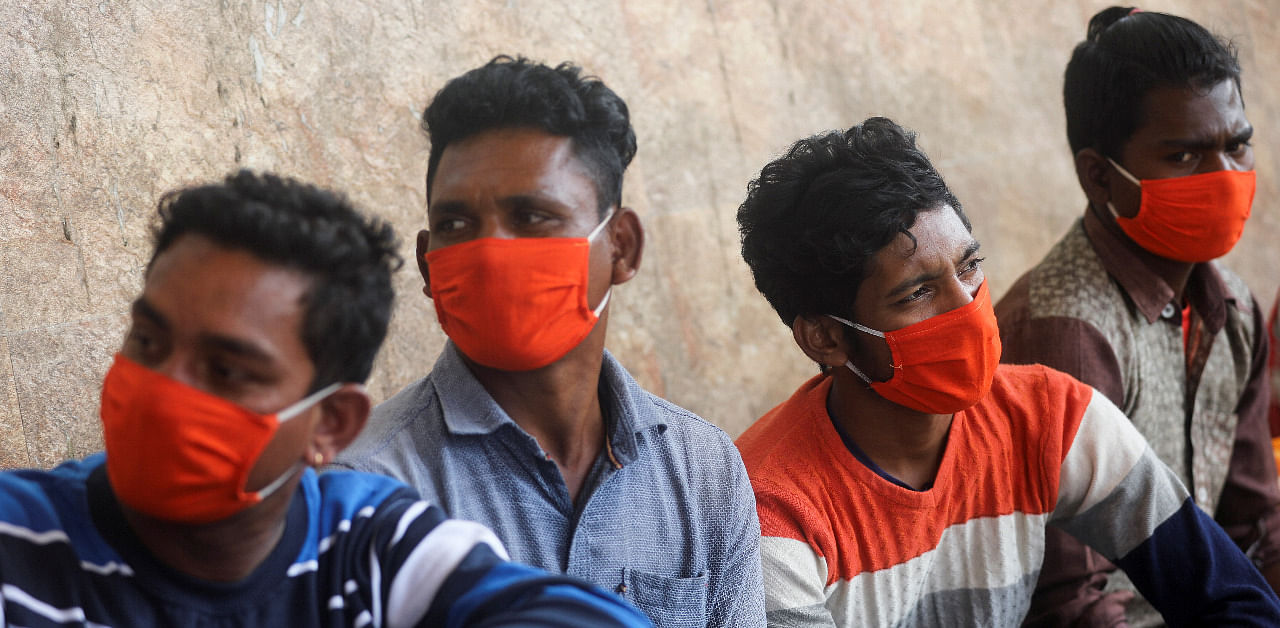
(557, 405)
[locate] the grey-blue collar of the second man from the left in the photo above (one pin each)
(469, 409)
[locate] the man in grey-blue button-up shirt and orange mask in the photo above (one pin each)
(525, 423)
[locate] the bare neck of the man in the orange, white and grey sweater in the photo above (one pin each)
(908, 444)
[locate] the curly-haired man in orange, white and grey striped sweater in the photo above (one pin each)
(911, 484)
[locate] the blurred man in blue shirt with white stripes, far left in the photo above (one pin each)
(264, 305)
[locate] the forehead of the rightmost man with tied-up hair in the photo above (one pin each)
(1190, 113)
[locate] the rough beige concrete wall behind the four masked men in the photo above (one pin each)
(106, 106)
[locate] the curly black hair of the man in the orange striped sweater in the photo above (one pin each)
(816, 217)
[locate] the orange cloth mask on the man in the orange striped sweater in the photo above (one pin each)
(944, 364)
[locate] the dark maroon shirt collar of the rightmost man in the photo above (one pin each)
(1206, 291)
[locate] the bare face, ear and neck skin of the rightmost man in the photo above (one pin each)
(1185, 132)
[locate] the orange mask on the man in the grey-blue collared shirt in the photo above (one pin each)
(515, 304)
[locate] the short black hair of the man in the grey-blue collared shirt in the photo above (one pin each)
(515, 93)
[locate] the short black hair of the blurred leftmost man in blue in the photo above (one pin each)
(350, 259)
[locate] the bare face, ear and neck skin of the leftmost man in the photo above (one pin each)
(228, 324)
